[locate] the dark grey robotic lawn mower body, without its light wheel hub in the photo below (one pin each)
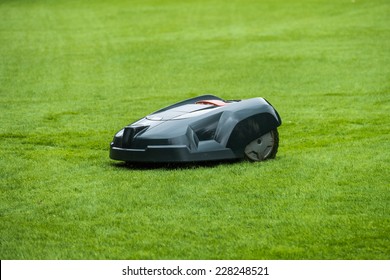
(205, 128)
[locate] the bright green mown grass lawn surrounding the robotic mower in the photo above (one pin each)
(72, 73)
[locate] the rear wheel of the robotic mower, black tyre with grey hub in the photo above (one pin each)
(264, 147)
